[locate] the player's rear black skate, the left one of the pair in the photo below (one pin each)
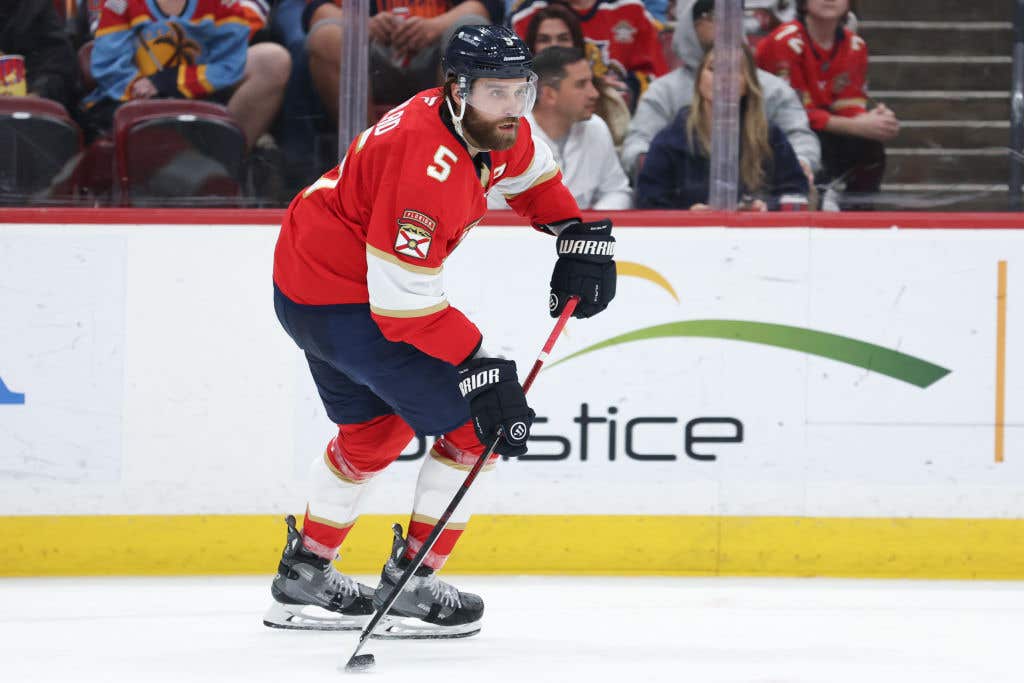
(311, 594)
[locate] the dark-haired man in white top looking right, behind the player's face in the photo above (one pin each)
(564, 119)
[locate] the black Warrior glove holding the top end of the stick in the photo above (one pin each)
(585, 269)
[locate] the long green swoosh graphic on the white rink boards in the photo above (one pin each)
(844, 350)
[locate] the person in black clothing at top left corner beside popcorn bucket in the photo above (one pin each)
(32, 29)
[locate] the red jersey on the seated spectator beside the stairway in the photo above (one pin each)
(830, 82)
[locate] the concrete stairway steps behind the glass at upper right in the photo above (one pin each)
(946, 68)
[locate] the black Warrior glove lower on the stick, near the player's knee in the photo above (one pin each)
(497, 401)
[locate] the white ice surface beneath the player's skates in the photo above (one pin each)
(536, 629)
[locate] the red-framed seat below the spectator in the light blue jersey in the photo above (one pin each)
(178, 153)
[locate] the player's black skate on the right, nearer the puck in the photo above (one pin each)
(428, 607)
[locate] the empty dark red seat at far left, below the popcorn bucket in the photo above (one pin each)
(40, 146)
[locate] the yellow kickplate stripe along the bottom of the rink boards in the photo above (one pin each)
(533, 544)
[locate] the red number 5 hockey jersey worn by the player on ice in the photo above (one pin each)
(378, 228)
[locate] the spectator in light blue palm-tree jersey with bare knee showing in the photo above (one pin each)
(189, 50)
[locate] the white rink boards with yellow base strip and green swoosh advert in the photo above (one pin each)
(767, 401)
